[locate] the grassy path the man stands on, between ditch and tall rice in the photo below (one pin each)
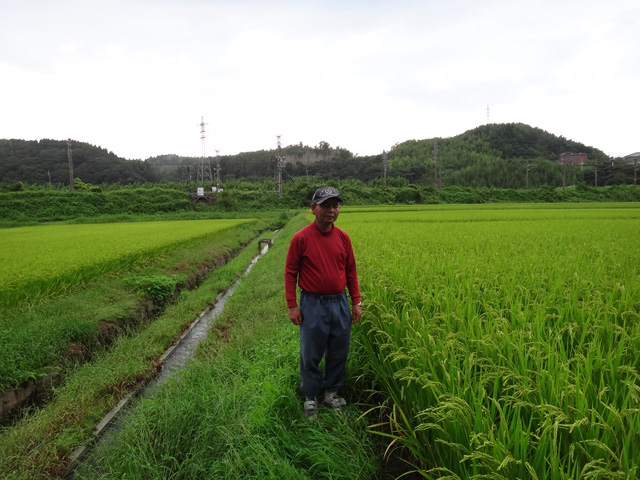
(236, 411)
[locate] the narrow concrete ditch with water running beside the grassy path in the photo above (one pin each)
(174, 359)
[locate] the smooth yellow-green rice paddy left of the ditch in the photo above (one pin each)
(38, 261)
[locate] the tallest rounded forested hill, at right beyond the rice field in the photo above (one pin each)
(511, 155)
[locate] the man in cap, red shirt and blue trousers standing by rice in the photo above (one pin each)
(320, 260)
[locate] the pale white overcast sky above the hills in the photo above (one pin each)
(136, 76)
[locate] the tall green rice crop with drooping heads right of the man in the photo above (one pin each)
(506, 339)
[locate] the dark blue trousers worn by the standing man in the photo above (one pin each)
(325, 331)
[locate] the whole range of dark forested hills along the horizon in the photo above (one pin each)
(510, 155)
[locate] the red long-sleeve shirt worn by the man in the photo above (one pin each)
(322, 263)
